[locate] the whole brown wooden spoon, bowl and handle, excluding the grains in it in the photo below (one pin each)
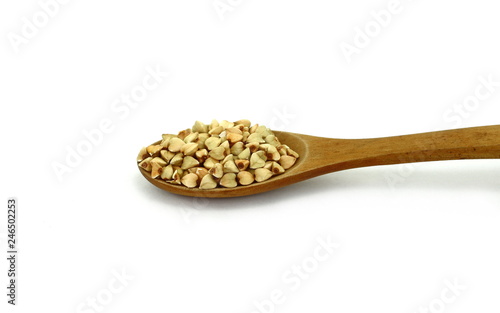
(320, 156)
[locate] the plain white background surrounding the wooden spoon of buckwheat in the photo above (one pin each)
(405, 232)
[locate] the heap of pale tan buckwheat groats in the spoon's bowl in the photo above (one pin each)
(225, 154)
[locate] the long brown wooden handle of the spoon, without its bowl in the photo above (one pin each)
(466, 143)
